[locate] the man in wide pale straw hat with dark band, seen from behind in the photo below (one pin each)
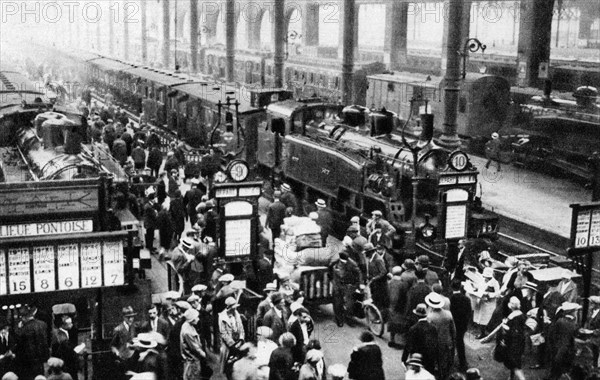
(444, 324)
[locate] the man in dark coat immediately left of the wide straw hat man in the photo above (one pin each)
(422, 338)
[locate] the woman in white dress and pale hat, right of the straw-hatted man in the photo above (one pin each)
(483, 299)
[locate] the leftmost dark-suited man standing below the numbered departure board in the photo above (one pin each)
(31, 348)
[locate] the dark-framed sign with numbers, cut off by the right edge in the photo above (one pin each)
(585, 226)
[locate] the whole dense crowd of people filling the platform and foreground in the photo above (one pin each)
(189, 337)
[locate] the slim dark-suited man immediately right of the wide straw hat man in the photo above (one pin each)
(460, 307)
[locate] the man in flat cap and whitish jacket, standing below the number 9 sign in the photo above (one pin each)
(231, 330)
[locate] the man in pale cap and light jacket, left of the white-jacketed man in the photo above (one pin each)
(191, 348)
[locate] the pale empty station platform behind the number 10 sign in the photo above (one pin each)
(533, 198)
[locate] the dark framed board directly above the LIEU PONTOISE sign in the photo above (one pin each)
(47, 201)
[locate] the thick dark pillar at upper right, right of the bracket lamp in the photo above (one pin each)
(535, 30)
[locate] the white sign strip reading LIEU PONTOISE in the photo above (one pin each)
(46, 228)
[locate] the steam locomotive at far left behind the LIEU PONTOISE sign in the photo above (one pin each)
(46, 140)
